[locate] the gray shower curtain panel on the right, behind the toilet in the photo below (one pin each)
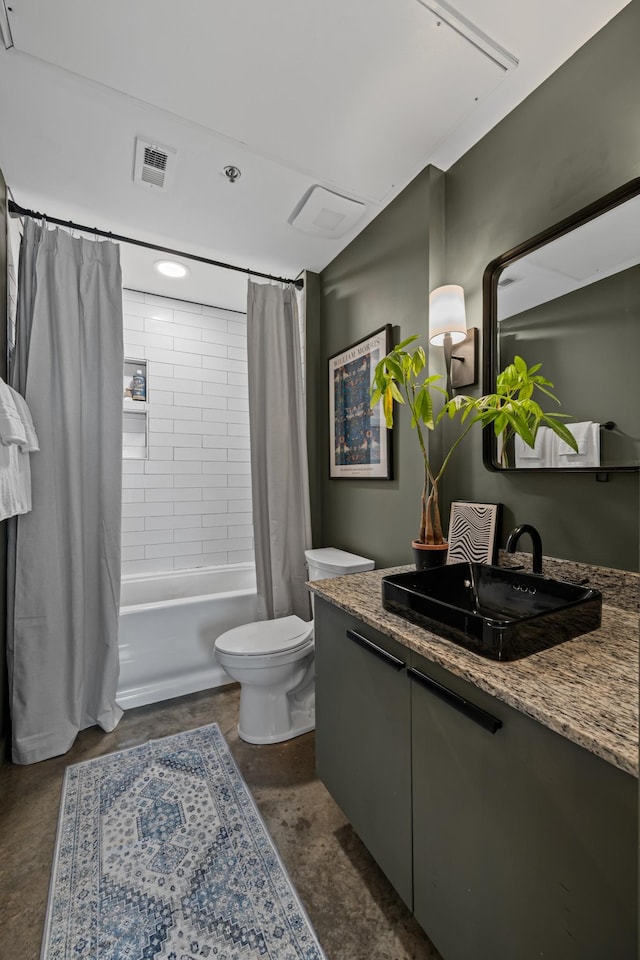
(279, 470)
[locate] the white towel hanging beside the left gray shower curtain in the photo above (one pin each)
(15, 468)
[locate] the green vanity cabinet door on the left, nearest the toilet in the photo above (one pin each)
(363, 736)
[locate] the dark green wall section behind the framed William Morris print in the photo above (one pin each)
(382, 277)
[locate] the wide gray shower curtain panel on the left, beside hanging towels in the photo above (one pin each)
(64, 556)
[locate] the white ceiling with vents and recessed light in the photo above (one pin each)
(356, 96)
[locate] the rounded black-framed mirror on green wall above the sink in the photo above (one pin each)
(569, 299)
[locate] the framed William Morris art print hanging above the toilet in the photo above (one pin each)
(360, 443)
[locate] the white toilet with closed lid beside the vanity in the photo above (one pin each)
(273, 660)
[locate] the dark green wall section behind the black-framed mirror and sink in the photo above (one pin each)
(574, 139)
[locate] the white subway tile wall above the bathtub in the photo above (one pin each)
(188, 504)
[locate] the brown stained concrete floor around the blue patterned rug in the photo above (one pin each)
(354, 910)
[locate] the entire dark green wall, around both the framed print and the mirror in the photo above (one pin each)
(574, 139)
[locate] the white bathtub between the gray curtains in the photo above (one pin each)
(168, 625)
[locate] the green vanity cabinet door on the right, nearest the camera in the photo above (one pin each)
(525, 844)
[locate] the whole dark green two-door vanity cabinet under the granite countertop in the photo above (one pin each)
(509, 841)
